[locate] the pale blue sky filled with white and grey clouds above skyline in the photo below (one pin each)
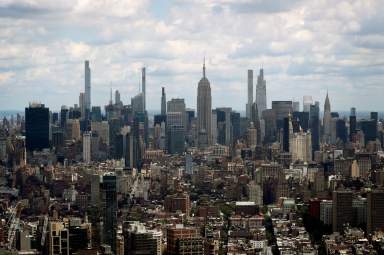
(306, 47)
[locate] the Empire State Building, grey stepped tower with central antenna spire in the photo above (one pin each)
(204, 111)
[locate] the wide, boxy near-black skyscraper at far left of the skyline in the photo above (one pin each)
(37, 127)
